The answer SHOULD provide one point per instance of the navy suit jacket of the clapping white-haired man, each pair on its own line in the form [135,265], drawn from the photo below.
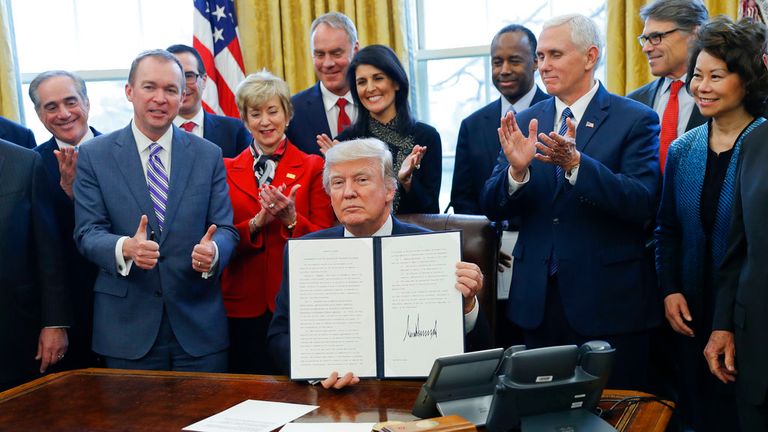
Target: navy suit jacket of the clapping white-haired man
[596,227]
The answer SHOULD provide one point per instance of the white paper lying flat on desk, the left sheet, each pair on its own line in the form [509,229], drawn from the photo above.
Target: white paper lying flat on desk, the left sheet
[252,416]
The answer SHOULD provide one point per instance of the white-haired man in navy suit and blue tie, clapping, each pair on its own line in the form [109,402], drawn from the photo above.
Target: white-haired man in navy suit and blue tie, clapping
[584,189]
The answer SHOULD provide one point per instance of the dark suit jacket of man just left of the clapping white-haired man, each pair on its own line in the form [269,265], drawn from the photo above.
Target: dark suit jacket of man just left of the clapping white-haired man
[477,148]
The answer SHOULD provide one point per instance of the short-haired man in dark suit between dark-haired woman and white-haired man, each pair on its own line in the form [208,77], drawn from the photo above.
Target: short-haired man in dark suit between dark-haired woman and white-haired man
[513,64]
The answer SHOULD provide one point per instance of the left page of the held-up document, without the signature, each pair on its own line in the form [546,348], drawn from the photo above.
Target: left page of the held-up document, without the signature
[332,279]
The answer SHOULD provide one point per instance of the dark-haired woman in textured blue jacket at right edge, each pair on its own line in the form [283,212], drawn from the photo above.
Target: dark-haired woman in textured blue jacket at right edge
[729,85]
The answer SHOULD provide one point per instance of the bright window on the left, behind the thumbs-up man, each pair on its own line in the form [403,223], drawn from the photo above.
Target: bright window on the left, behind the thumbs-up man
[97,39]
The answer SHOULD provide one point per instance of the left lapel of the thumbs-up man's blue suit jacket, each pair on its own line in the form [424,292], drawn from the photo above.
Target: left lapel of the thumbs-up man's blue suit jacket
[129,163]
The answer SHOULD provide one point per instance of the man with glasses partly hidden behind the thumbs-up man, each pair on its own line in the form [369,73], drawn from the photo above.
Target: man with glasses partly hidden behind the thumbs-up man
[228,133]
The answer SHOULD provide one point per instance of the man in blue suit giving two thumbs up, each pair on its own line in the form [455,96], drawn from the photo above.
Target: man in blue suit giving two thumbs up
[157,298]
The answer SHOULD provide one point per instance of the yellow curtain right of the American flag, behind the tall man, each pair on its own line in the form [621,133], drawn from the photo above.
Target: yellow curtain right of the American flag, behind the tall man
[274,34]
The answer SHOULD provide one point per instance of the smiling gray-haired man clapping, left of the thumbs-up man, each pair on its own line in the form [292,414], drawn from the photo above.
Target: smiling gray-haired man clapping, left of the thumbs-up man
[61,101]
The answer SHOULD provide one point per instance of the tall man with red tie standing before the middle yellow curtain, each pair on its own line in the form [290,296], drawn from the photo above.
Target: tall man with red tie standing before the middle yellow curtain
[327,107]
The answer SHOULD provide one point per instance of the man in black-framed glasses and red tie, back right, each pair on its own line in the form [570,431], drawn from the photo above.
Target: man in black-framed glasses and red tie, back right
[670,27]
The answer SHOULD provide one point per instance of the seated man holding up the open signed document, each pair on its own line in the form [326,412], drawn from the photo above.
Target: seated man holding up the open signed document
[359,177]
